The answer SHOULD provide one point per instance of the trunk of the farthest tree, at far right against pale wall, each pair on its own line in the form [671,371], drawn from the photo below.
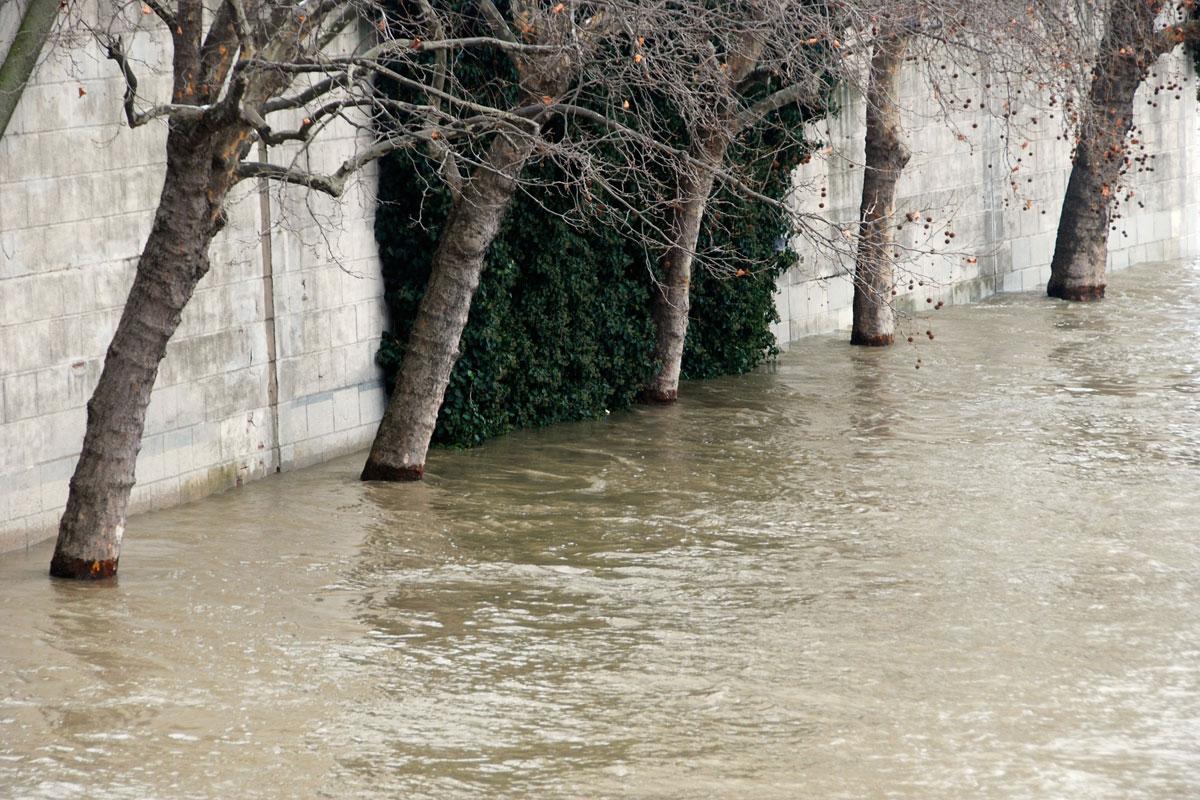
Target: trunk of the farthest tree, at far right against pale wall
[1082,249]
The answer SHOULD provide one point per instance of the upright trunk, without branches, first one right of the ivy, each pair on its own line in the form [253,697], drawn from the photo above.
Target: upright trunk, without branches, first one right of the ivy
[886,159]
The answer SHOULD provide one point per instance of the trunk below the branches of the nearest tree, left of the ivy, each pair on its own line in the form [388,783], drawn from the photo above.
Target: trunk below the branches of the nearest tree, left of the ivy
[173,262]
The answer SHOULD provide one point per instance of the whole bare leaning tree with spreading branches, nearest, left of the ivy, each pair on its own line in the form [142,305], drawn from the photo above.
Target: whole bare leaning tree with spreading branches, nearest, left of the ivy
[242,73]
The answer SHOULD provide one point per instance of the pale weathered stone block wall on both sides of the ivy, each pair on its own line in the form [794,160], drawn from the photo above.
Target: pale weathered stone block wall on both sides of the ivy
[77,196]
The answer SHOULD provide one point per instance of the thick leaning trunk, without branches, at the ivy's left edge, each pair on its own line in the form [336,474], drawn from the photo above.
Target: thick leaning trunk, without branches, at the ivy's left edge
[404,438]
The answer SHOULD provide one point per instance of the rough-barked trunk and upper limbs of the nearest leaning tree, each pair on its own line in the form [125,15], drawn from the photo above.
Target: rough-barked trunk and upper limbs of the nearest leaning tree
[203,153]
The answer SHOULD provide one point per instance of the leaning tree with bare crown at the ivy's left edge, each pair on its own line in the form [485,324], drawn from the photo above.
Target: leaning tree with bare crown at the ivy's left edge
[578,44]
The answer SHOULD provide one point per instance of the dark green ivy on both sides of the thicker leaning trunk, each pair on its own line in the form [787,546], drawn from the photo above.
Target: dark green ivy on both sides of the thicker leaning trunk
[559,329]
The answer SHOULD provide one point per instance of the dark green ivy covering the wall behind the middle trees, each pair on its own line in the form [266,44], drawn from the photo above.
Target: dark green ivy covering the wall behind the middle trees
[561,327]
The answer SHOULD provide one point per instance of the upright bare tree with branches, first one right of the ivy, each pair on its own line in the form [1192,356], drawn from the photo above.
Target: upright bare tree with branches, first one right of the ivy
[1013,56]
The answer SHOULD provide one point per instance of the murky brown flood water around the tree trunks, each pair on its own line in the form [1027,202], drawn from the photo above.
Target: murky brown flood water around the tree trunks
[841,578]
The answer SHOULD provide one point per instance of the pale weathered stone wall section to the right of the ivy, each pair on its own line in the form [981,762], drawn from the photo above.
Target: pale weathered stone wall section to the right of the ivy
[965,185]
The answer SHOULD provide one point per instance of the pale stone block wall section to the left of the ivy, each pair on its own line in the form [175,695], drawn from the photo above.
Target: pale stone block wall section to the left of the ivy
[77,197]
